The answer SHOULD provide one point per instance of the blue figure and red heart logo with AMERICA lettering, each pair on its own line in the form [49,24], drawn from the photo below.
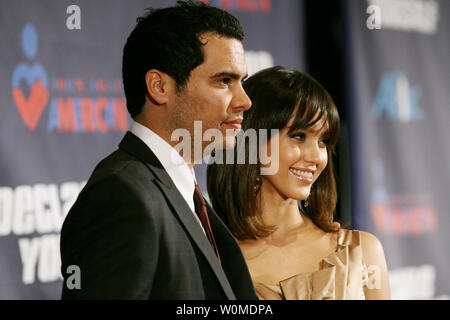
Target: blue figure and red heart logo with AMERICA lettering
[74,104]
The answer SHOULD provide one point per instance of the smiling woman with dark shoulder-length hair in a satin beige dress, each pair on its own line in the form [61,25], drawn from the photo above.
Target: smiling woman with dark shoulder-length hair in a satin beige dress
[292,251]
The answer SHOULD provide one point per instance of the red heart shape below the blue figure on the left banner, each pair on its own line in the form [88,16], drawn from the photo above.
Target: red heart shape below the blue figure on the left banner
[31,109]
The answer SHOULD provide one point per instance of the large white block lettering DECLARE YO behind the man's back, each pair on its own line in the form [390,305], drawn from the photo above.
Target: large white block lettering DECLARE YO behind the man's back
[35,214]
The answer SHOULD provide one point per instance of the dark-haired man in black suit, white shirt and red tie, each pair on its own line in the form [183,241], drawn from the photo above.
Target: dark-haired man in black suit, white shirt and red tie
[138,229]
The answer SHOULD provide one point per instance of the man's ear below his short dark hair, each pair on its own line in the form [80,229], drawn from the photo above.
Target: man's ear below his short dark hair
[159,86]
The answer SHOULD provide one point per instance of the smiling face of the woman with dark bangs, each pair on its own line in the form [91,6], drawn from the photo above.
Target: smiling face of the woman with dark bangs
[302,158]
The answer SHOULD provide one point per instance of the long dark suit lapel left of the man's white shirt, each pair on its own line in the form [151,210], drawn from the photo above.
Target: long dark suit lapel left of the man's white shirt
[133,145]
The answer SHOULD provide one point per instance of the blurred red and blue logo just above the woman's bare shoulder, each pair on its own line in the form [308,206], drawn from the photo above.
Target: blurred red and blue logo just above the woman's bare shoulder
[400,213]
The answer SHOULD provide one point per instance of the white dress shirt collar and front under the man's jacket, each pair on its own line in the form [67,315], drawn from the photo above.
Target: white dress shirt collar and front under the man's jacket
[182,176]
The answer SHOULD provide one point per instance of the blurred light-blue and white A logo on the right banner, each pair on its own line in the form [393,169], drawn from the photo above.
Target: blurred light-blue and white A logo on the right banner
[397,99]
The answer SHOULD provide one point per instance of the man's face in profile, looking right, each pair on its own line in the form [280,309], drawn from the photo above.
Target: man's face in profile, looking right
[214,94]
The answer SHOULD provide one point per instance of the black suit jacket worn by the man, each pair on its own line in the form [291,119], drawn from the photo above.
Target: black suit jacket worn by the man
[133,236]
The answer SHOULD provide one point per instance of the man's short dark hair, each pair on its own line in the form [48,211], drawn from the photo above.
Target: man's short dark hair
[168,40]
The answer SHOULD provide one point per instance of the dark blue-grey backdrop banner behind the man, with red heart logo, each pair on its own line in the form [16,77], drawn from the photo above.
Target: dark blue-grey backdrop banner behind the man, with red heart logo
[63,109]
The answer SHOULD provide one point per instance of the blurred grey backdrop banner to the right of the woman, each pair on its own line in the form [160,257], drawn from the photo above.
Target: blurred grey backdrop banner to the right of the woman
[398,61]
